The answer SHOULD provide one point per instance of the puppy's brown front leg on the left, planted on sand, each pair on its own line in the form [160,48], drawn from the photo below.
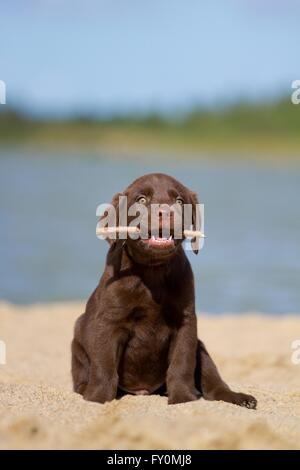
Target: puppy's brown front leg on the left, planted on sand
[105,354]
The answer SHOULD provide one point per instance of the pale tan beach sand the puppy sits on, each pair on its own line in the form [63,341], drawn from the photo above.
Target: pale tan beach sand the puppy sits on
[38,409]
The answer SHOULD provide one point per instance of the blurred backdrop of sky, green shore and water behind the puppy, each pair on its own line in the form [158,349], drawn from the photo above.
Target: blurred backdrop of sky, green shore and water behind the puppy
[99,92]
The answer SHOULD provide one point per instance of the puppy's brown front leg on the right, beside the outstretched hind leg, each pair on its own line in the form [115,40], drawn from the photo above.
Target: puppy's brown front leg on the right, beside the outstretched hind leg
[182,363]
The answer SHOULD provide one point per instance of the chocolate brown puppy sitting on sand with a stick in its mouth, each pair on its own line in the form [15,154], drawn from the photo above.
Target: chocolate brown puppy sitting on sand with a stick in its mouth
[139,332]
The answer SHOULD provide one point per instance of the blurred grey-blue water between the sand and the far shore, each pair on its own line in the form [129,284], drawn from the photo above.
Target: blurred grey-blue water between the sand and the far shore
[49,251]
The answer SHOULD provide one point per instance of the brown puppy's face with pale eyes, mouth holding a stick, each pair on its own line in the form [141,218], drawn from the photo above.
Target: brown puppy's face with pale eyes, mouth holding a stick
[156,192]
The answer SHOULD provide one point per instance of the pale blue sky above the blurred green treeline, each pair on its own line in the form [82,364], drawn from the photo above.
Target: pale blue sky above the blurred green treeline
[103,56]
